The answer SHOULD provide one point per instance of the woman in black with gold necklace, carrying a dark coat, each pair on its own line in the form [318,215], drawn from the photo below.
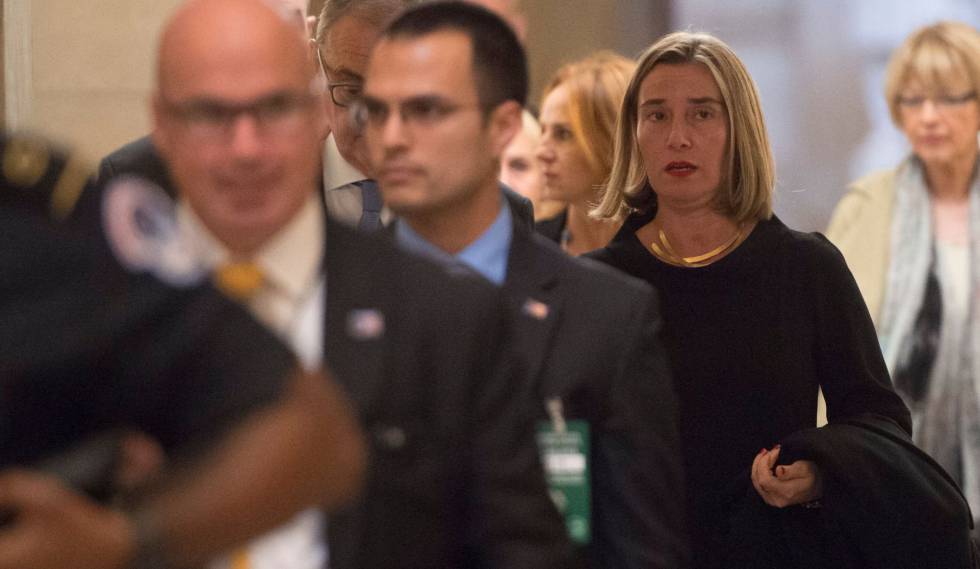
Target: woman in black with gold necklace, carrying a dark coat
[758,318]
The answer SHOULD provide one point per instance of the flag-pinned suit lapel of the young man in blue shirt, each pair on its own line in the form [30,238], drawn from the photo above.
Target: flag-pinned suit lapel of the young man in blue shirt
[532,284]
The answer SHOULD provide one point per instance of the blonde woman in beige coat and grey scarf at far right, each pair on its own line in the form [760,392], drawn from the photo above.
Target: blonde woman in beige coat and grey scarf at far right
[911,236]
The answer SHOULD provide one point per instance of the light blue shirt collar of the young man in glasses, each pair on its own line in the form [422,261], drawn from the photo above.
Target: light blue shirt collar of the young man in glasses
[486,255]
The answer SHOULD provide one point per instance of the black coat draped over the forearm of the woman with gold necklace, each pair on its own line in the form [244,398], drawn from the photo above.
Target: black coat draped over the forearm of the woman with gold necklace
[895,506]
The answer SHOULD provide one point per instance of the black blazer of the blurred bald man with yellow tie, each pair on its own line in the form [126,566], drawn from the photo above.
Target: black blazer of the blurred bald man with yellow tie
[454,479]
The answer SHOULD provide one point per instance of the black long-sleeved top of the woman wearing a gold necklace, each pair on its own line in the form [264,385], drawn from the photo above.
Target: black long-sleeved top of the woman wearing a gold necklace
[750,339]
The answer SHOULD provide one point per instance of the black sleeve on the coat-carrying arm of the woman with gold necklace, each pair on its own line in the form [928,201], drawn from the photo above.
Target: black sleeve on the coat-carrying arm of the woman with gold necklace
[851,369]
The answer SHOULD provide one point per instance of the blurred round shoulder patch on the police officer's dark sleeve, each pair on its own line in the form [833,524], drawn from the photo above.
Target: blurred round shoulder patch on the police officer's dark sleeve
[141,227]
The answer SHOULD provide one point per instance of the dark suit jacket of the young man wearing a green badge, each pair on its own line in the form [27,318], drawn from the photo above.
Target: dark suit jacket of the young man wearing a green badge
[598,348]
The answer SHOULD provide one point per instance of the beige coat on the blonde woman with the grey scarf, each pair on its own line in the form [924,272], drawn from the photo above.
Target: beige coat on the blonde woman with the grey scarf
[861,228]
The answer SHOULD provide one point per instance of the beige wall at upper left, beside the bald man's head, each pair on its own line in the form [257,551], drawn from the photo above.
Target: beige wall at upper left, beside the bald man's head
[81,71]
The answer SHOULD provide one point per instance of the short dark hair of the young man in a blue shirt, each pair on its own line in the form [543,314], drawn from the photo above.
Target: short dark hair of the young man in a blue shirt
[499,63]
